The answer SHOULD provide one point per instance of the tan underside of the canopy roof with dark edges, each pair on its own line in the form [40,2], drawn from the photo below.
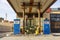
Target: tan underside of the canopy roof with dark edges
[30,6]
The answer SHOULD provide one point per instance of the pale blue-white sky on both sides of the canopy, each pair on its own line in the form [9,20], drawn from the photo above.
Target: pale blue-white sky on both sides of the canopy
[5,8]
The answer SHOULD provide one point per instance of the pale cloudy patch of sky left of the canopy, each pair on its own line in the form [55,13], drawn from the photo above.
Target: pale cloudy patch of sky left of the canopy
[6,8]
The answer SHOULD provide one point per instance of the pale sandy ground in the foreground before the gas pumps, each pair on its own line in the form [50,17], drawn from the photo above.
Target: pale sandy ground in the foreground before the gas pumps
[31,37]
